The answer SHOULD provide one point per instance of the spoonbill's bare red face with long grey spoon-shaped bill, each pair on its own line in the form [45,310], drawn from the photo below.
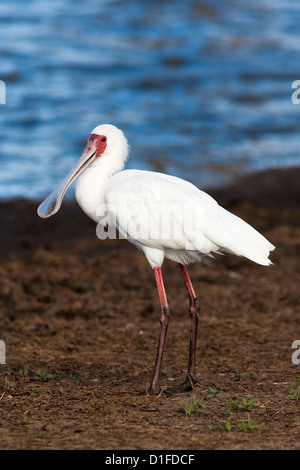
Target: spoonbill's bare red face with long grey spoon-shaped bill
[94,148]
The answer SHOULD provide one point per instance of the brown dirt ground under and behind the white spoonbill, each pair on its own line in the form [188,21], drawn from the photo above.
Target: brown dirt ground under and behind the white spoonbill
[79,318]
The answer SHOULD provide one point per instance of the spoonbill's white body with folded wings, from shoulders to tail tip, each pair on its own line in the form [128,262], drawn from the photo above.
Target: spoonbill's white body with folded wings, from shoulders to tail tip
[158,212]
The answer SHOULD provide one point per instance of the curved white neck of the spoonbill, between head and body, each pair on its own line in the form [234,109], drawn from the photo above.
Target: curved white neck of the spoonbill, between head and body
[91,184]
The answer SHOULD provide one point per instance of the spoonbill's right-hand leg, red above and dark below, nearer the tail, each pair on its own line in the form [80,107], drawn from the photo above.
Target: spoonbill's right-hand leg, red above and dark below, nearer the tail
[194,311]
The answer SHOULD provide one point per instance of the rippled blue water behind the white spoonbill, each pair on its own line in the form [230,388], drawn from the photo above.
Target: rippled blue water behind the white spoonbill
[202,90]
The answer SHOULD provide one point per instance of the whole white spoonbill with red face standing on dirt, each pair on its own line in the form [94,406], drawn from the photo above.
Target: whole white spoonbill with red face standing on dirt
[162,215]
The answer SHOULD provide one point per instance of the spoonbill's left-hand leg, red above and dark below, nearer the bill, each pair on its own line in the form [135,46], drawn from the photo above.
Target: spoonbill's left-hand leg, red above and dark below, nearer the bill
[164,316]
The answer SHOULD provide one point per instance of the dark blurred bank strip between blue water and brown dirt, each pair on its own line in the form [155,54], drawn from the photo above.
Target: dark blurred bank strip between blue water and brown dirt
[21,230]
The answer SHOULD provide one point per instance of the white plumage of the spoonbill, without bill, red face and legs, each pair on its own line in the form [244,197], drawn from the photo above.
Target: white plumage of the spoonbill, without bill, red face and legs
[146,199]
